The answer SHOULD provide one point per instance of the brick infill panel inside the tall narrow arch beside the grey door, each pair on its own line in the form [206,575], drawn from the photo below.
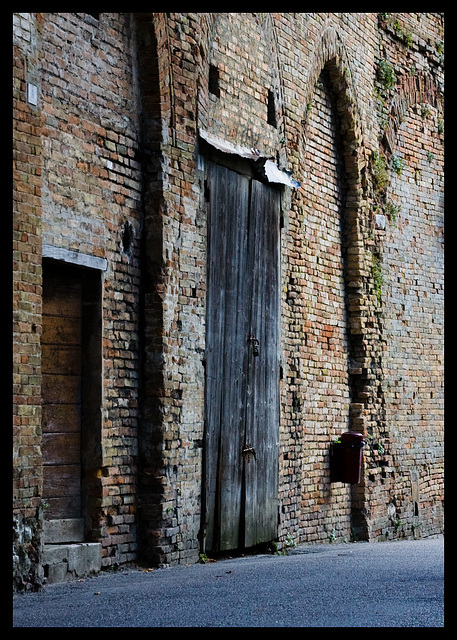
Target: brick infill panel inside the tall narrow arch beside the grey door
[322,336]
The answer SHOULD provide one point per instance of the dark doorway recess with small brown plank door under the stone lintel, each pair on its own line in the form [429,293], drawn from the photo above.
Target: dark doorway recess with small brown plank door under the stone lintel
[71,399]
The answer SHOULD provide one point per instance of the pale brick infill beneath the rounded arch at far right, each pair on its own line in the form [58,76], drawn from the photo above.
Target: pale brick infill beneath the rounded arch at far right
[414,322]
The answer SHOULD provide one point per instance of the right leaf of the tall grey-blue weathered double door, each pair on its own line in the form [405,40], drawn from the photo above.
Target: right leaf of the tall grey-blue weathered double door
[262,427]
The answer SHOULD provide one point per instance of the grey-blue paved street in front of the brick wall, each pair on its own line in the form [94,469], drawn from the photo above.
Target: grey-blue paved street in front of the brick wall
[387,584]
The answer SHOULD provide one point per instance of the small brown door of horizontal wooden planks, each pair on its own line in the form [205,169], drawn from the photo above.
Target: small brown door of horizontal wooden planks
[61,392]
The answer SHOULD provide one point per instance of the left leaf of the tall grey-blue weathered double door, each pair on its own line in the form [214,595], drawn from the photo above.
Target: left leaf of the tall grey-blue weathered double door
[225,353]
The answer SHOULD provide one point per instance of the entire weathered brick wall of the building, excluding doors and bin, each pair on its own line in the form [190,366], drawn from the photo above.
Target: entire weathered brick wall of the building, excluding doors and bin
[106,165]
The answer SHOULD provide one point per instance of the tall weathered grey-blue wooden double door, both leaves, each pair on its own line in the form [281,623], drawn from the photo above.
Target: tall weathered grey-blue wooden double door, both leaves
[242,361]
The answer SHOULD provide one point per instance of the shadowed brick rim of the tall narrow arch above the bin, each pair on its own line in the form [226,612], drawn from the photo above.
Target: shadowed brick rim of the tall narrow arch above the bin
[332,56]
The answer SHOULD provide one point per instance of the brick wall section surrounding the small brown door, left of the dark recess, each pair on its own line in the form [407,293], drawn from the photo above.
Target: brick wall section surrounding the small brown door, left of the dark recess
[86,145]
